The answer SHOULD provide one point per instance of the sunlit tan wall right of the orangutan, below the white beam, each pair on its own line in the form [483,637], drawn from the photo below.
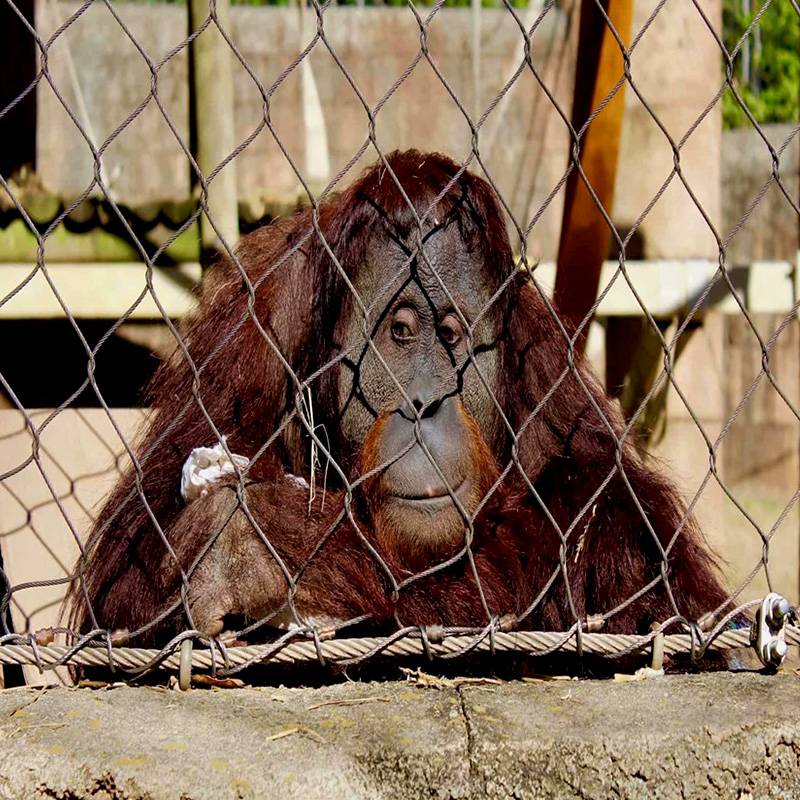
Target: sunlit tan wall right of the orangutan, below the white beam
[752,490]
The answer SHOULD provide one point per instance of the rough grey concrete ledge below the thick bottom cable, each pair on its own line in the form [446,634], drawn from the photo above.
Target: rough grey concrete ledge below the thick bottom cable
[716,735]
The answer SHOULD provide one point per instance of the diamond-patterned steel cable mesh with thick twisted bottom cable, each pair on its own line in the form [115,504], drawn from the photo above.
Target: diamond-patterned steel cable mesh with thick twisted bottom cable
[98,646]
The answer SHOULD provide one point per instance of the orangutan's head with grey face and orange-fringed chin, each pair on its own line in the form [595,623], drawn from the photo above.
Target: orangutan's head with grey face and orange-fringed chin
[418,377]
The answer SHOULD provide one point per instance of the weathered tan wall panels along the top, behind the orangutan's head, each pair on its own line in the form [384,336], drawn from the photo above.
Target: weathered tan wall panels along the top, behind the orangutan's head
[523,142]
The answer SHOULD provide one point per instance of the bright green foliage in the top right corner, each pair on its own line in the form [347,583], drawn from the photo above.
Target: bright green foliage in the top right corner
[772,92]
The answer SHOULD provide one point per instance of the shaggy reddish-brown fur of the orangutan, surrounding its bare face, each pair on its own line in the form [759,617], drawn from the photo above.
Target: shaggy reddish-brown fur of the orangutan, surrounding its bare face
[565,452]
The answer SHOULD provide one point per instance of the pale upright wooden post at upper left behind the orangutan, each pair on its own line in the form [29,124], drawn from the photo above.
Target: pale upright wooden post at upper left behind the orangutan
[213,123]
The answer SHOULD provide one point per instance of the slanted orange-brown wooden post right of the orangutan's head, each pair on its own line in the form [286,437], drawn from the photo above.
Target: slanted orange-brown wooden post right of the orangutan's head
[585,235]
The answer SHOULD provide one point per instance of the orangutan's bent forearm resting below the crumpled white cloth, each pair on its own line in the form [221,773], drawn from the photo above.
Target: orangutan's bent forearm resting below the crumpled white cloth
[238,573]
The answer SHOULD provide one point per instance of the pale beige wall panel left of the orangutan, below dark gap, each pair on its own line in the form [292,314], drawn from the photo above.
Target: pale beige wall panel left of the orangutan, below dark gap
[46,508]
